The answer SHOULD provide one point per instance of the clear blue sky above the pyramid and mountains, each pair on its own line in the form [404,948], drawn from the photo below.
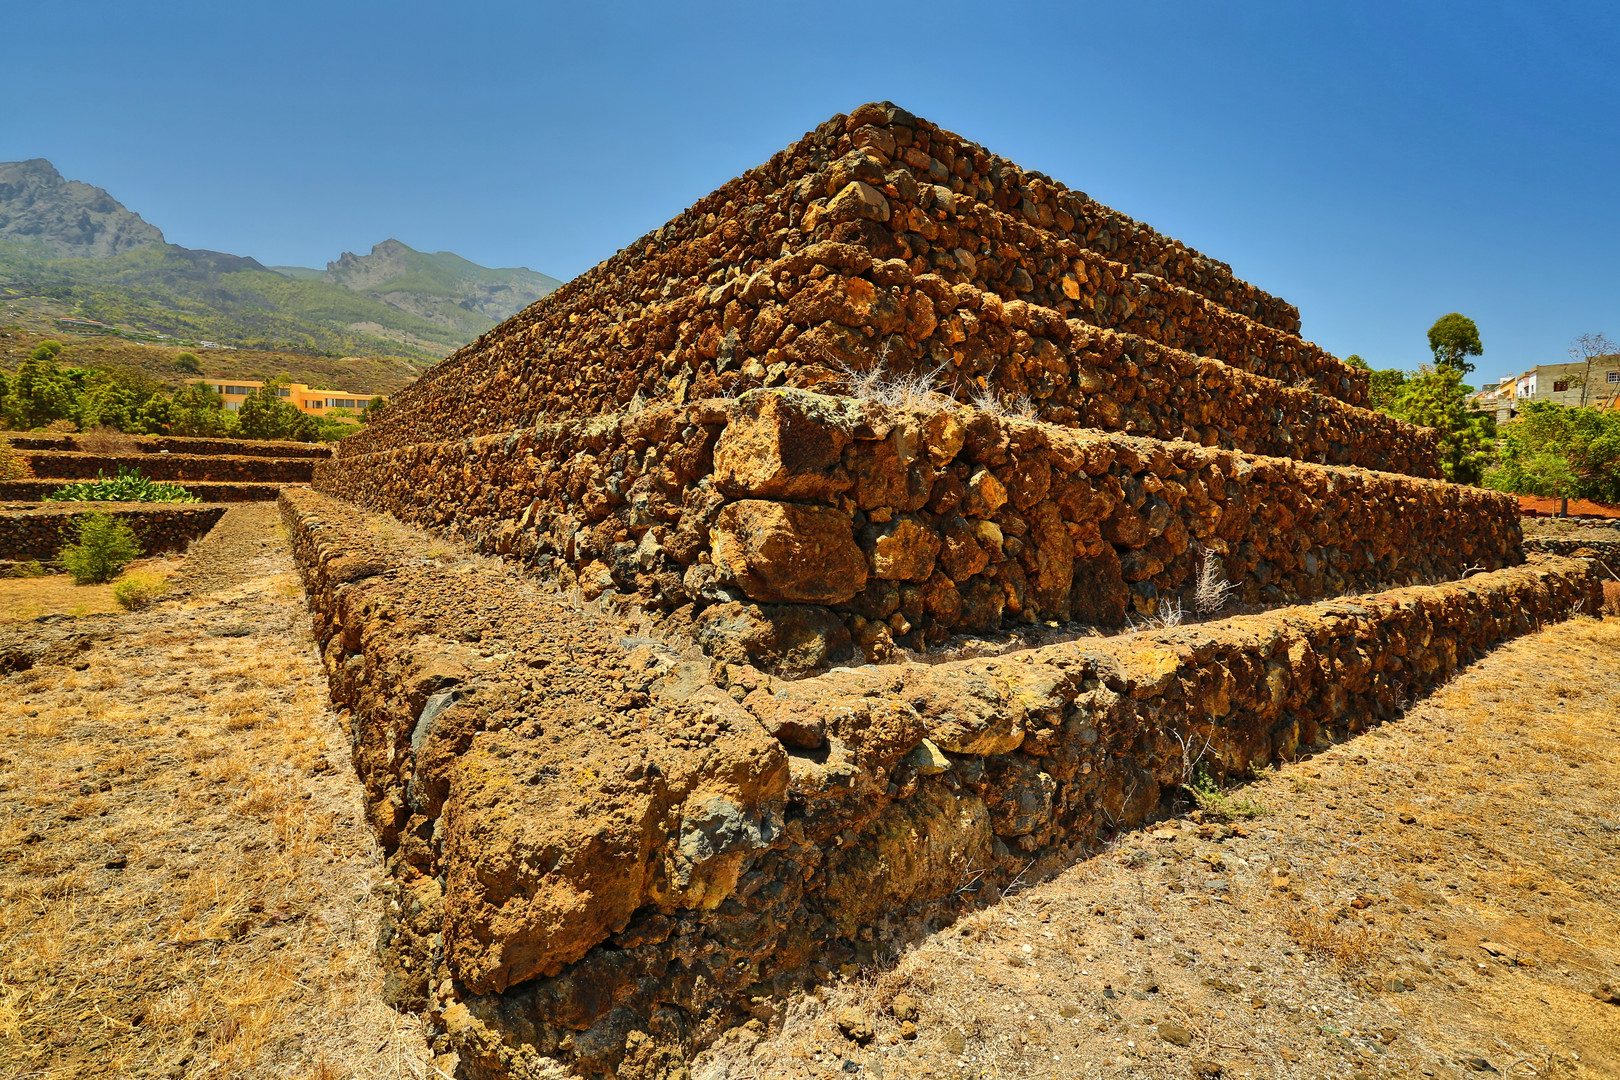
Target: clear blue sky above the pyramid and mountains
[1378,164]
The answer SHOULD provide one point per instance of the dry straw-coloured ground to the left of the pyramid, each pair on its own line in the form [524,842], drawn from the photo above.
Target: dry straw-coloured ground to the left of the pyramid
[185,875]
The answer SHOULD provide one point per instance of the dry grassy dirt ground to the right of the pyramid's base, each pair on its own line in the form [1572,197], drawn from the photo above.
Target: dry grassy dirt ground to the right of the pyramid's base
[1436,899]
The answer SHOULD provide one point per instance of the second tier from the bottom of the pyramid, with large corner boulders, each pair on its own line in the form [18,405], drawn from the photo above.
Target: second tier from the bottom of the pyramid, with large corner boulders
[788,522]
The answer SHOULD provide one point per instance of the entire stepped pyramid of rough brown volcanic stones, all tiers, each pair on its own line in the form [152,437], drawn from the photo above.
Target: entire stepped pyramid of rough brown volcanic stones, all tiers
[884,396]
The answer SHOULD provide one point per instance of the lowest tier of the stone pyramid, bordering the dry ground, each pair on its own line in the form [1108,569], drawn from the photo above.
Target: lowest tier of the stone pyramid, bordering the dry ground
[595,840]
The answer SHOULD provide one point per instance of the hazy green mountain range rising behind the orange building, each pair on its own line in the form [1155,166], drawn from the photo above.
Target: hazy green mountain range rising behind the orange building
[74,247]
